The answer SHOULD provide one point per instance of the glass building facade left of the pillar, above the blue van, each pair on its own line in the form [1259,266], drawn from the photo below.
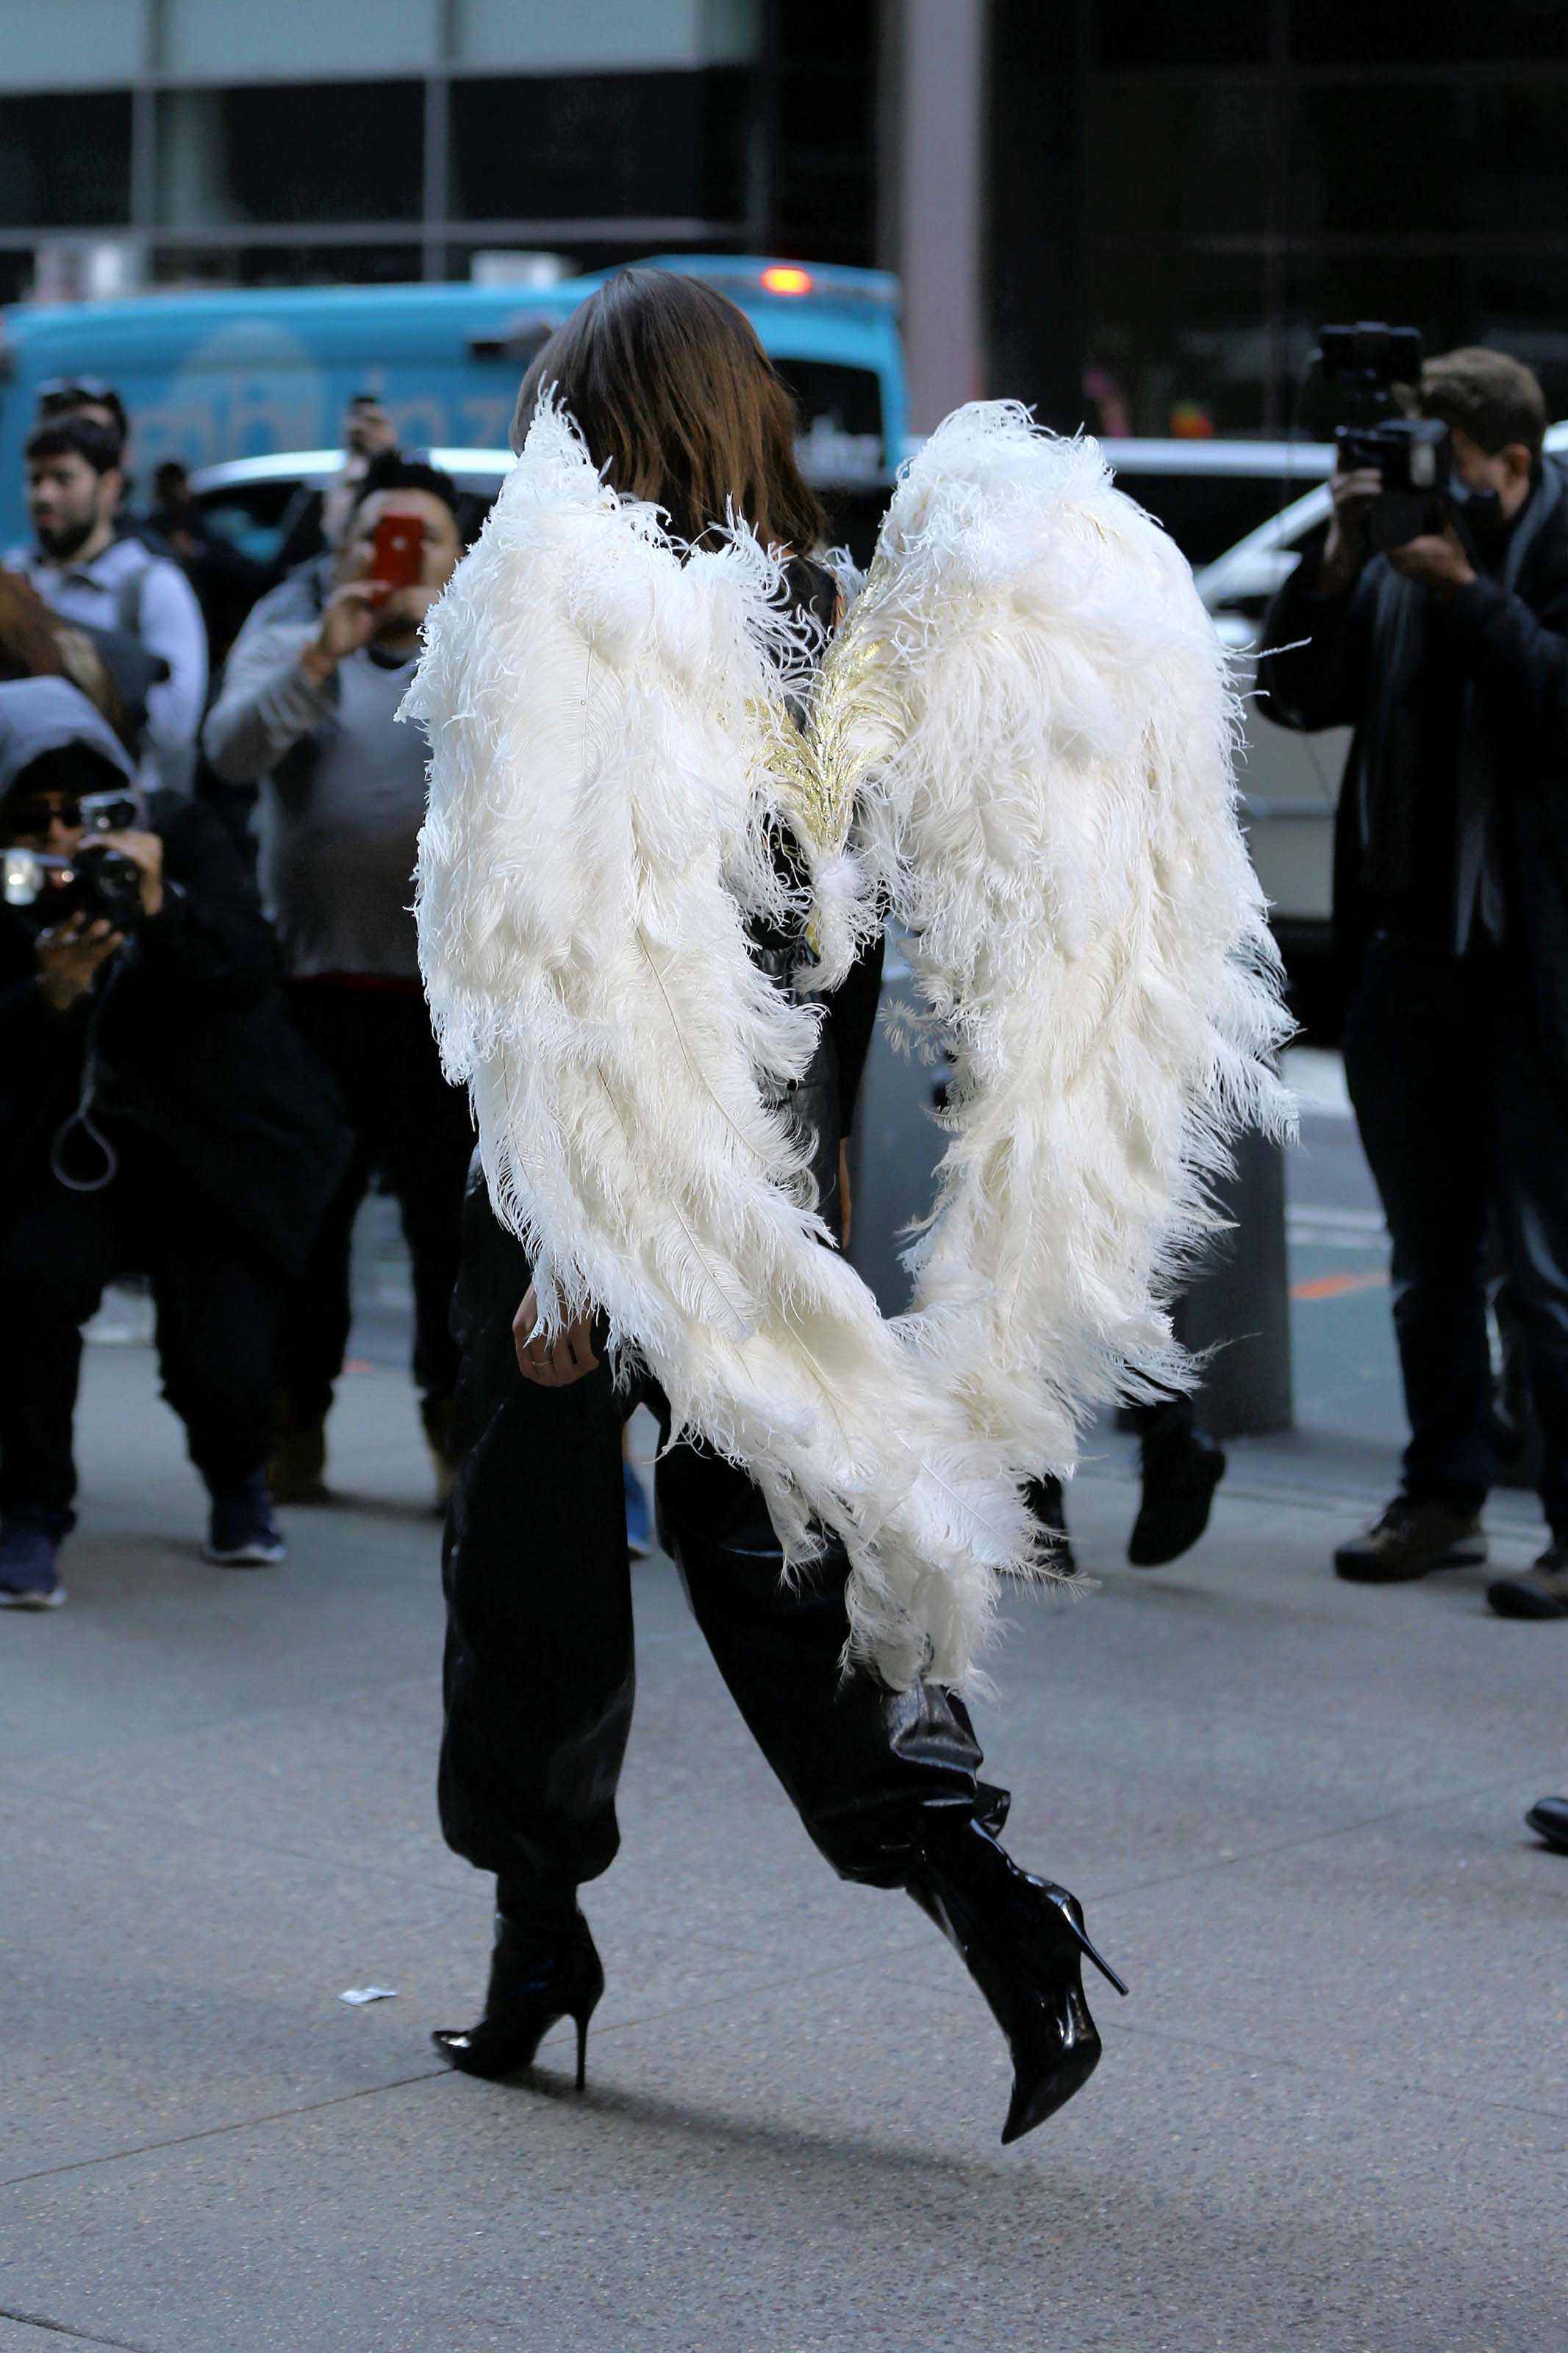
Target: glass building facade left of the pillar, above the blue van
[368,140]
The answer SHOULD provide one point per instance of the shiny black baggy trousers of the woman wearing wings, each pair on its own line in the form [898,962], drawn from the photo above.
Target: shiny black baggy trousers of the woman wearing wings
[540,1629]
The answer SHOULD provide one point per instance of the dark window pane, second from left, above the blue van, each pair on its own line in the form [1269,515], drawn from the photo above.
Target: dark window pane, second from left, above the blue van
[319,152]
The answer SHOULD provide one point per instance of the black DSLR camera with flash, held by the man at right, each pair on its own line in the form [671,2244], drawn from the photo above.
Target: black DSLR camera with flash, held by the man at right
[1362,373]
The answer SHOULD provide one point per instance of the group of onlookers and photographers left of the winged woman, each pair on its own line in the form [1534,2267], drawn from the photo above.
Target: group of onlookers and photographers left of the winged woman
[213,1027]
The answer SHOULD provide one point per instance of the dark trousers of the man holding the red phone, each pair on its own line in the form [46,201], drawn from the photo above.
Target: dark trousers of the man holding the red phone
[410,1126]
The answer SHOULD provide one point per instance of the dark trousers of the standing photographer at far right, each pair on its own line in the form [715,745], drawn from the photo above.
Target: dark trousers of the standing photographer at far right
[1463,1121]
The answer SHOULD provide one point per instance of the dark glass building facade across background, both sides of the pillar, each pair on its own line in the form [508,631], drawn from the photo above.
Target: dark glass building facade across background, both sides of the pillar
[1174,199]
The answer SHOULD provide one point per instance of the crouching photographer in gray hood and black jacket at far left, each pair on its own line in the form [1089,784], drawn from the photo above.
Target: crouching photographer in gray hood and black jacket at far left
[156,1114]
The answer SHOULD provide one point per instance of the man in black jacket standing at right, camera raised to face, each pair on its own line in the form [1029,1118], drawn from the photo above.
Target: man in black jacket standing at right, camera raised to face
[1449,658]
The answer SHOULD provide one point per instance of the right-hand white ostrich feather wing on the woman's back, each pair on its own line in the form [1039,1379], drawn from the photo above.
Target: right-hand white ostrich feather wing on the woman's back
[1033,712]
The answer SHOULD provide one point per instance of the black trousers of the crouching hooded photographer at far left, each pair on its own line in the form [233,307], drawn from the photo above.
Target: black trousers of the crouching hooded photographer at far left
[217,1300]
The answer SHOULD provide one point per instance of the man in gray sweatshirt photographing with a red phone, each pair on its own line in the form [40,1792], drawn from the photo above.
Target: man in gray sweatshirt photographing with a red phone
[309,709]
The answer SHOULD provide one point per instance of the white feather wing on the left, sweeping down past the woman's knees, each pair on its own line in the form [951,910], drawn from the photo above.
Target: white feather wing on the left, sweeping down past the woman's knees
[603,719]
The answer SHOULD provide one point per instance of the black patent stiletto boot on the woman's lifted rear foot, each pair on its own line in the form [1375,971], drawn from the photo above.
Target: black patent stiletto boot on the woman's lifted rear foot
[1024,1945]
